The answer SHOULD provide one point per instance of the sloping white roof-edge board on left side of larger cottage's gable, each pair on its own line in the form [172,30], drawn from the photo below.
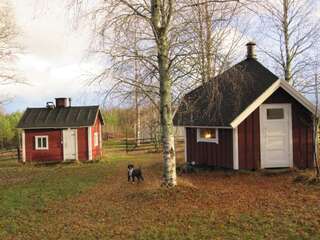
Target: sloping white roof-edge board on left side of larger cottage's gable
[253,106]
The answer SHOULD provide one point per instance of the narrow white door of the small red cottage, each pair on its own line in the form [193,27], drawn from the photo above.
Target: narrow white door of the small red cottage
[70,144]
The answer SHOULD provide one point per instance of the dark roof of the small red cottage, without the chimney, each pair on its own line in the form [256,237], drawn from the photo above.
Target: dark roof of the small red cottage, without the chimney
[59,117]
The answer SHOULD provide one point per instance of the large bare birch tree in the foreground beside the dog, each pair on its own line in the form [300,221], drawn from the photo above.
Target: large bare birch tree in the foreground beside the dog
[163,49]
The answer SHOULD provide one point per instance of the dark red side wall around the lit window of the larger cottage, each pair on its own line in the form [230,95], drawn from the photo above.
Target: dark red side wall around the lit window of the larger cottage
[210,154]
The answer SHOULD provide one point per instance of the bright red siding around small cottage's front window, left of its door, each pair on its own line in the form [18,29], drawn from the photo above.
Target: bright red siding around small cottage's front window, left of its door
[55,151]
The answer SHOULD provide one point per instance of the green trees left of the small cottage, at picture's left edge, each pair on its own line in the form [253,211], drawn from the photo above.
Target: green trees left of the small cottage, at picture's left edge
[9,134]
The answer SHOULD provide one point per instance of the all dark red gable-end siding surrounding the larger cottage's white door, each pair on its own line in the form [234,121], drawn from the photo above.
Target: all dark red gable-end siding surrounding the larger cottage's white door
[249,134]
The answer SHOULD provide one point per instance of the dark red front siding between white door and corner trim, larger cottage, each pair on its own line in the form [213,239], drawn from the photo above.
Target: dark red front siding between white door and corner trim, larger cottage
[249,142]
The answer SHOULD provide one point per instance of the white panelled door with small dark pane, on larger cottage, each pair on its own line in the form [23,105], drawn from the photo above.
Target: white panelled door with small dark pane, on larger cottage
[276,135]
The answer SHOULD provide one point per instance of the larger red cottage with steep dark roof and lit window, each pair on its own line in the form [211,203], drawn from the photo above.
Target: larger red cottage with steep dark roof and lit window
[247,118]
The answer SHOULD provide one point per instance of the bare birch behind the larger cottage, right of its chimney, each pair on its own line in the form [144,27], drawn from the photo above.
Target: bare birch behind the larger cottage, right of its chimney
[292,29]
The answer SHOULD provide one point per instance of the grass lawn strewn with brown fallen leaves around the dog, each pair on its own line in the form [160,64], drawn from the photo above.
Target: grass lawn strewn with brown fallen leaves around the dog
[95,201]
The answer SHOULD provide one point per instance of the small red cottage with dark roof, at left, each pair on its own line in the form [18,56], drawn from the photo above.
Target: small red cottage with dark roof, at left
[61,132]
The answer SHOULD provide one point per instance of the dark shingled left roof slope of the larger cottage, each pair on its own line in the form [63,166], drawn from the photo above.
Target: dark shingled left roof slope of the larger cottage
[221,100]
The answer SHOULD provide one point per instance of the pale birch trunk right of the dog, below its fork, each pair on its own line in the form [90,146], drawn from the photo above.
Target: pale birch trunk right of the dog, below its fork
[169,157]
